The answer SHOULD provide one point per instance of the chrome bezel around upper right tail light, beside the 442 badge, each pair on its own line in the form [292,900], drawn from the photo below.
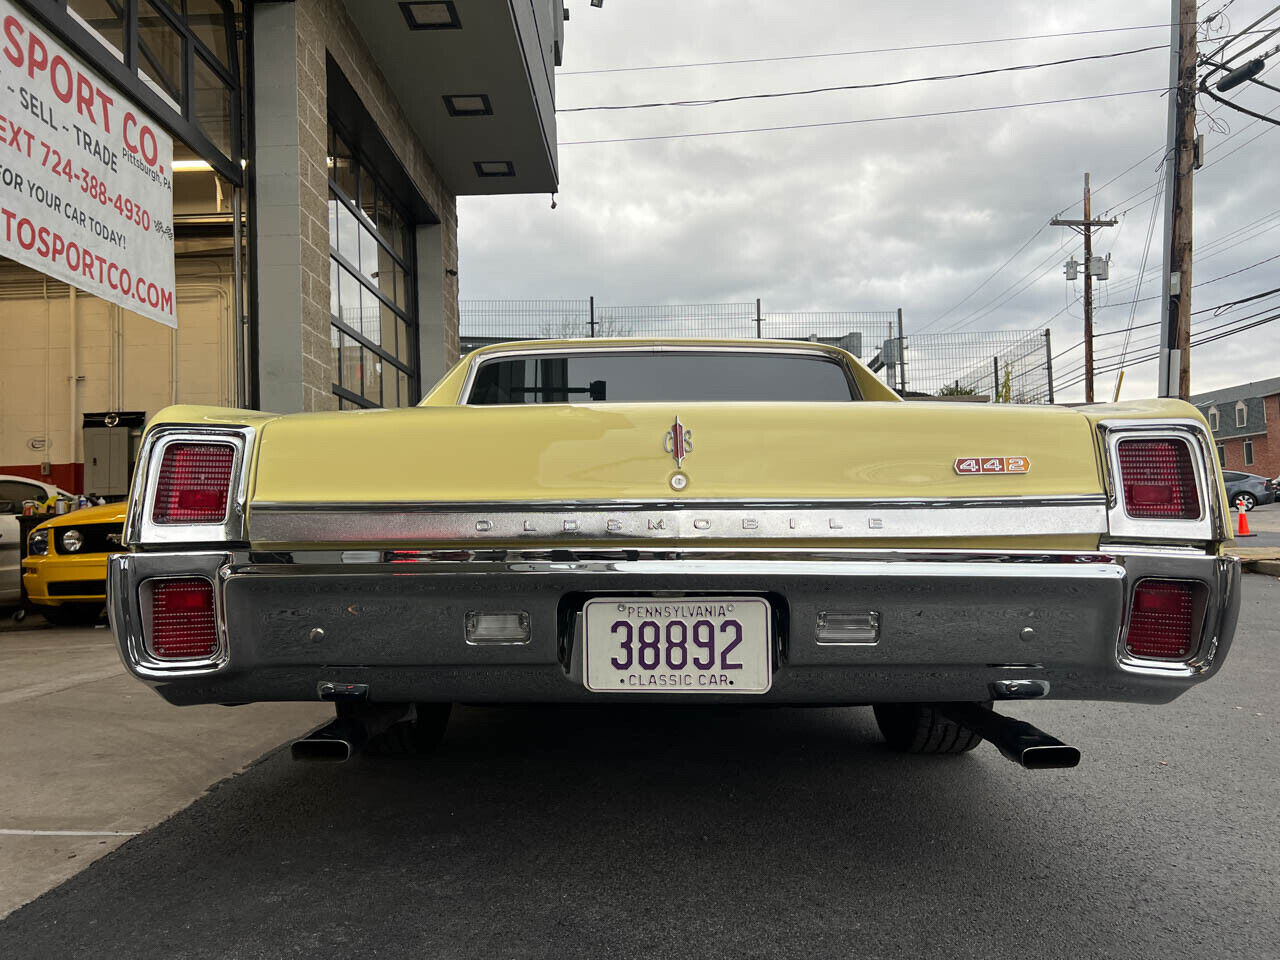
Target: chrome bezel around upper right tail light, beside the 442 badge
[1208,527]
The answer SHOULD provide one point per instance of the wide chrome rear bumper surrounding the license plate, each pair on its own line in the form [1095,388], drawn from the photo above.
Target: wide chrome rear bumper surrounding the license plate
[952,627]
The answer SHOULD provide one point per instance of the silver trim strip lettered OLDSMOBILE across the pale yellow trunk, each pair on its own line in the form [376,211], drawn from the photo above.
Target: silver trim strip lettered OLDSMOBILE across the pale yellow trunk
[707,520]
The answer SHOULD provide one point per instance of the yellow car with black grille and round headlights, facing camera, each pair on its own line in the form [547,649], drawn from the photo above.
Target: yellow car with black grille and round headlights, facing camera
[65,572]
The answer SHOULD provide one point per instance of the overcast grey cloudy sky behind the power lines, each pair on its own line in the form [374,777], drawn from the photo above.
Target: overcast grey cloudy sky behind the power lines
[912,214]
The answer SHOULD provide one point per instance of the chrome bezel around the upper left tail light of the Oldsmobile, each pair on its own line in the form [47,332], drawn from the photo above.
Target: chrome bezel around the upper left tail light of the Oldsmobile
[140,525]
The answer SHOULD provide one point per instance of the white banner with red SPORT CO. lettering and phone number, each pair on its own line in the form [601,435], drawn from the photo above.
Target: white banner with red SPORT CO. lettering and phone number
[86,184]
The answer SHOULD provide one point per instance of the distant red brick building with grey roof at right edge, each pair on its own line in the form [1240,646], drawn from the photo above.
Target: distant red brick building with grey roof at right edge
[1246,423]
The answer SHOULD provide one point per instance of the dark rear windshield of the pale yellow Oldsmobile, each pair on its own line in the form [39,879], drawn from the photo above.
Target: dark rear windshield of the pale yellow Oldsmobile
[642,377]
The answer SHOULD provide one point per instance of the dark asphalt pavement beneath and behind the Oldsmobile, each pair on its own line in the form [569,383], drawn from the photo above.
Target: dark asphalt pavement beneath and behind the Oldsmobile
[591,833]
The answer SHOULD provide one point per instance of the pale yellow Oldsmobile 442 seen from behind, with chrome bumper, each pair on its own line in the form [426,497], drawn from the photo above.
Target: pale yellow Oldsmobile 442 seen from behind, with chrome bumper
[660,522]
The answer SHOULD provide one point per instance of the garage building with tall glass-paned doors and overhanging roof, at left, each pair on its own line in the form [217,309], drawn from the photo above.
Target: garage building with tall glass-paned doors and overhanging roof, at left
[319,149]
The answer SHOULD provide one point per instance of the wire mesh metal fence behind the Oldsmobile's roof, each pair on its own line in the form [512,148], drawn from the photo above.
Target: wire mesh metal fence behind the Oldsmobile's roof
[1002,365]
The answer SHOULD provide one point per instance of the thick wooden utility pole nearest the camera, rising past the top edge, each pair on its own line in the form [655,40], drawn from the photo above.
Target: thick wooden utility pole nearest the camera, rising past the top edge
[1176,328]
